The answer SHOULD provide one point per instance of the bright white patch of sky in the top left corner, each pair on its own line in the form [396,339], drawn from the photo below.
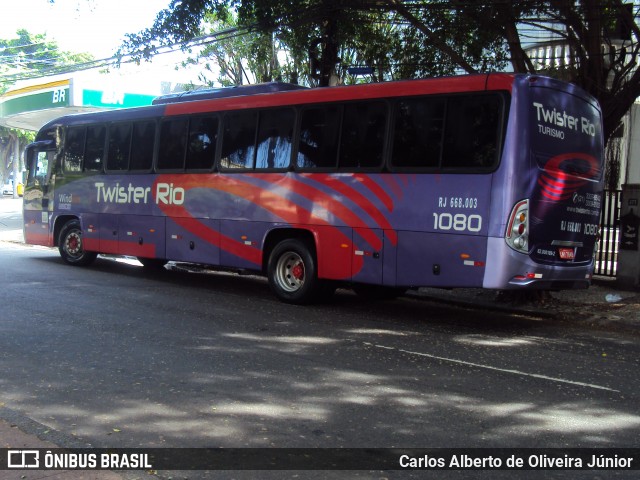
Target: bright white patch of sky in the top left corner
[94,26]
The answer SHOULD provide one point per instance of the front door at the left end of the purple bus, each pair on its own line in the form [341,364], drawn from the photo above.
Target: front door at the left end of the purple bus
[38,193]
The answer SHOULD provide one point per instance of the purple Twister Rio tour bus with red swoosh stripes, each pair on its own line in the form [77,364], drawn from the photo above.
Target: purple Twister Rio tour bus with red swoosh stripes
[490,181]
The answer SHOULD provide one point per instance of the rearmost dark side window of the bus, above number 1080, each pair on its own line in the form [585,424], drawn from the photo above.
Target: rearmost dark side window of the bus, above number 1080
[471,133]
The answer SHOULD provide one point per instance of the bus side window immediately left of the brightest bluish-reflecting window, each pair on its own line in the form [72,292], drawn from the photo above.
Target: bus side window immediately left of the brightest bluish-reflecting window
[238,140]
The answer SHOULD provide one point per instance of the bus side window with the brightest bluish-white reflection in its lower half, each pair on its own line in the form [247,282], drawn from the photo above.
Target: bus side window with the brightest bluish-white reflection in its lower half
[275,134]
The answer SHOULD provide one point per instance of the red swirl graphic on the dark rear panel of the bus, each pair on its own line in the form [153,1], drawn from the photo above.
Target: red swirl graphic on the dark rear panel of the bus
[564,174]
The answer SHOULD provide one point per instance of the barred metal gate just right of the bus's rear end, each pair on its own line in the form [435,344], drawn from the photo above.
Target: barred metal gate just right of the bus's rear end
[607,253]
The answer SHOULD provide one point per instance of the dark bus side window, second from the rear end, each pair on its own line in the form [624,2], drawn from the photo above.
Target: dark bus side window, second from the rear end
[417,139]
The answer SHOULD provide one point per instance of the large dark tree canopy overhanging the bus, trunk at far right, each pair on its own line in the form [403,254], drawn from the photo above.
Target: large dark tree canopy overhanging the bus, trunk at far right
[436,37]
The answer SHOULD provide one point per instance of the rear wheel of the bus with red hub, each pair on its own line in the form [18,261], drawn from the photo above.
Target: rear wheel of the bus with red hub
[292,272]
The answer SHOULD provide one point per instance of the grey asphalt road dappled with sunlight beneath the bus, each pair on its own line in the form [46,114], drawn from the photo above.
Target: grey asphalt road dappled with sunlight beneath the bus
[116,356]
